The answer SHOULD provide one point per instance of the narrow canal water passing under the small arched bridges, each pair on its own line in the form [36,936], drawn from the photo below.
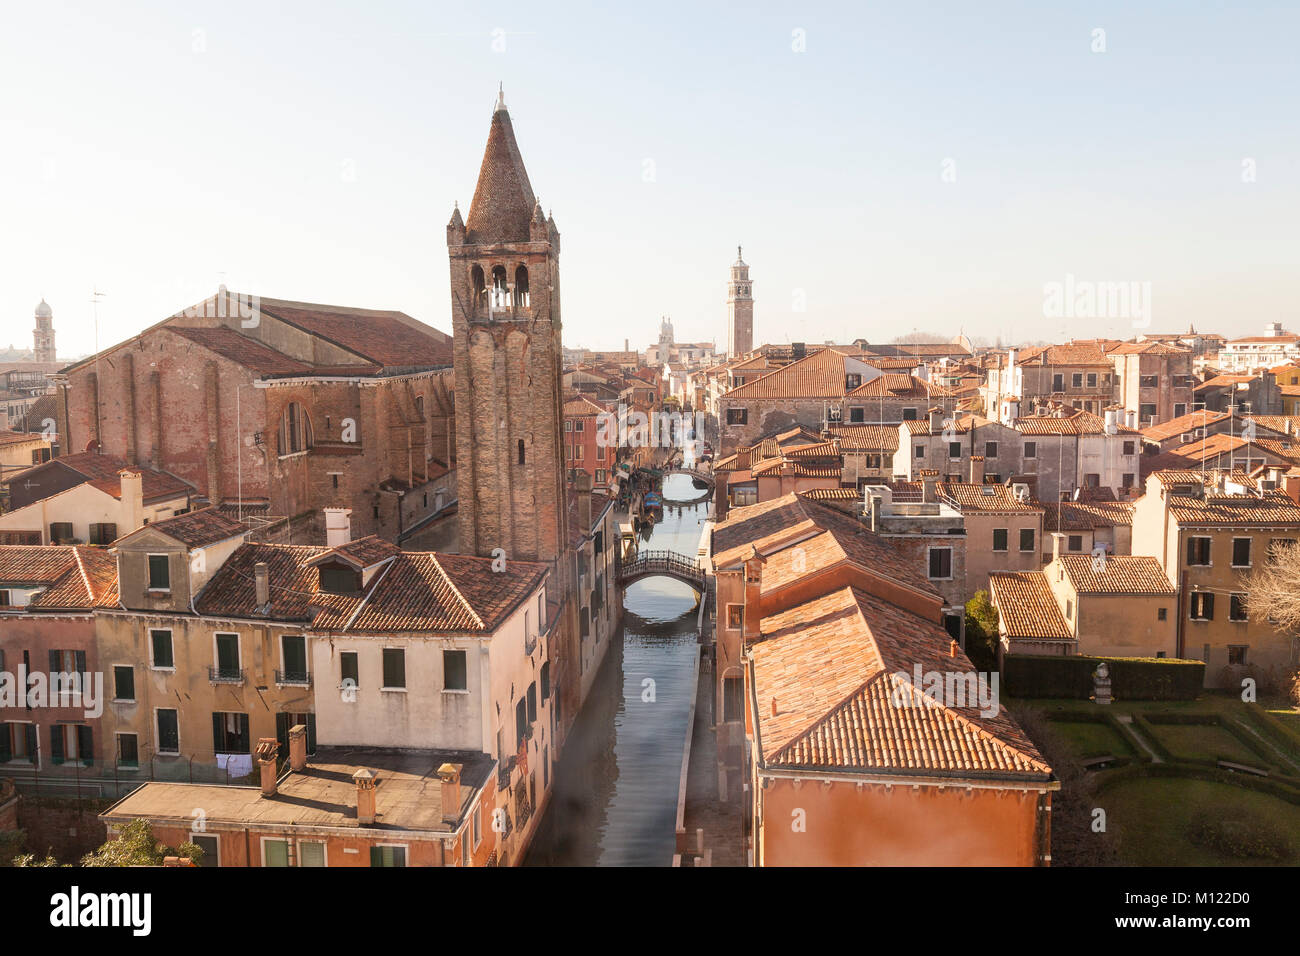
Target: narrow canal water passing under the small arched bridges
[616,798]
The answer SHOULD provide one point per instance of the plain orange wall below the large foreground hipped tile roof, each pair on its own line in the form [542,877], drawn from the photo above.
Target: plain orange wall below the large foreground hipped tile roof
[847,827]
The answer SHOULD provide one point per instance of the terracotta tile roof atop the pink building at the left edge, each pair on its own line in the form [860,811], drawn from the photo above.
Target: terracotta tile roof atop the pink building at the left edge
[75,578]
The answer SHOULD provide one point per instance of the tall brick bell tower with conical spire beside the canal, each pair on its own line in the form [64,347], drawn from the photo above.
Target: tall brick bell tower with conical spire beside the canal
[506,331]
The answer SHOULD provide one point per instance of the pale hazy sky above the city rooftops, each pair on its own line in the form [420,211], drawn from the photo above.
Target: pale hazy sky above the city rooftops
[314,152]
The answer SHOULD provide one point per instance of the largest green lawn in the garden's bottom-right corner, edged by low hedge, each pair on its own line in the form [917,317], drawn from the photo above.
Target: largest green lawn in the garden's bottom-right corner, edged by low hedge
[1151,816]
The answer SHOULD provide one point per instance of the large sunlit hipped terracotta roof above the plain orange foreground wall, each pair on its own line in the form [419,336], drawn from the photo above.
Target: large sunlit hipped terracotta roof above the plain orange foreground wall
[838,668]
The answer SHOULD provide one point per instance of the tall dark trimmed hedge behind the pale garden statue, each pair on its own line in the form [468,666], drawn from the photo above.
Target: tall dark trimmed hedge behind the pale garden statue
[1132,678]
